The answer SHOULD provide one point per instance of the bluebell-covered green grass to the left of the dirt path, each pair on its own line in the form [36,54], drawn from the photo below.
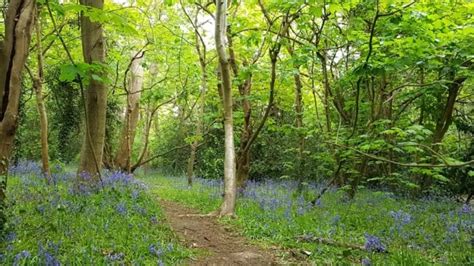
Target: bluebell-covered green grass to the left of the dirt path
[117,222]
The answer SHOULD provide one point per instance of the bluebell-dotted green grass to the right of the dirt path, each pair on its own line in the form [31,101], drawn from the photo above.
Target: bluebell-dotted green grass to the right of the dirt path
[409,232]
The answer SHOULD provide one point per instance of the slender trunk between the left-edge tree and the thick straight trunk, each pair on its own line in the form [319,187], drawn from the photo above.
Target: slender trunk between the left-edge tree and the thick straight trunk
[43,117]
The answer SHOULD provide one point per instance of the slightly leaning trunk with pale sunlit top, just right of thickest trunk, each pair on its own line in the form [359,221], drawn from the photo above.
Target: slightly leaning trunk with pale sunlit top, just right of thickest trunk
[124,153]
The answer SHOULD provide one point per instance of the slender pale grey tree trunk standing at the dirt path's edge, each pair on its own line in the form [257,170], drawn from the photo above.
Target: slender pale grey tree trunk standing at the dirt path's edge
[228,205]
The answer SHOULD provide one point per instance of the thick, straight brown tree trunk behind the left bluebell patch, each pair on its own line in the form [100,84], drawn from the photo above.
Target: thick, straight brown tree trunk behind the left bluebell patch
[95,96]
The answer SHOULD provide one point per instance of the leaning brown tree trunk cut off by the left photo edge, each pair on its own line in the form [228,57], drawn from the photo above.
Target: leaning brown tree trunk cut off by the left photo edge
[13,53]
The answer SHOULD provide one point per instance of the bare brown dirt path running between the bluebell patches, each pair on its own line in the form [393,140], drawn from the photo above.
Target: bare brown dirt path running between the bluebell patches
[224,247]
